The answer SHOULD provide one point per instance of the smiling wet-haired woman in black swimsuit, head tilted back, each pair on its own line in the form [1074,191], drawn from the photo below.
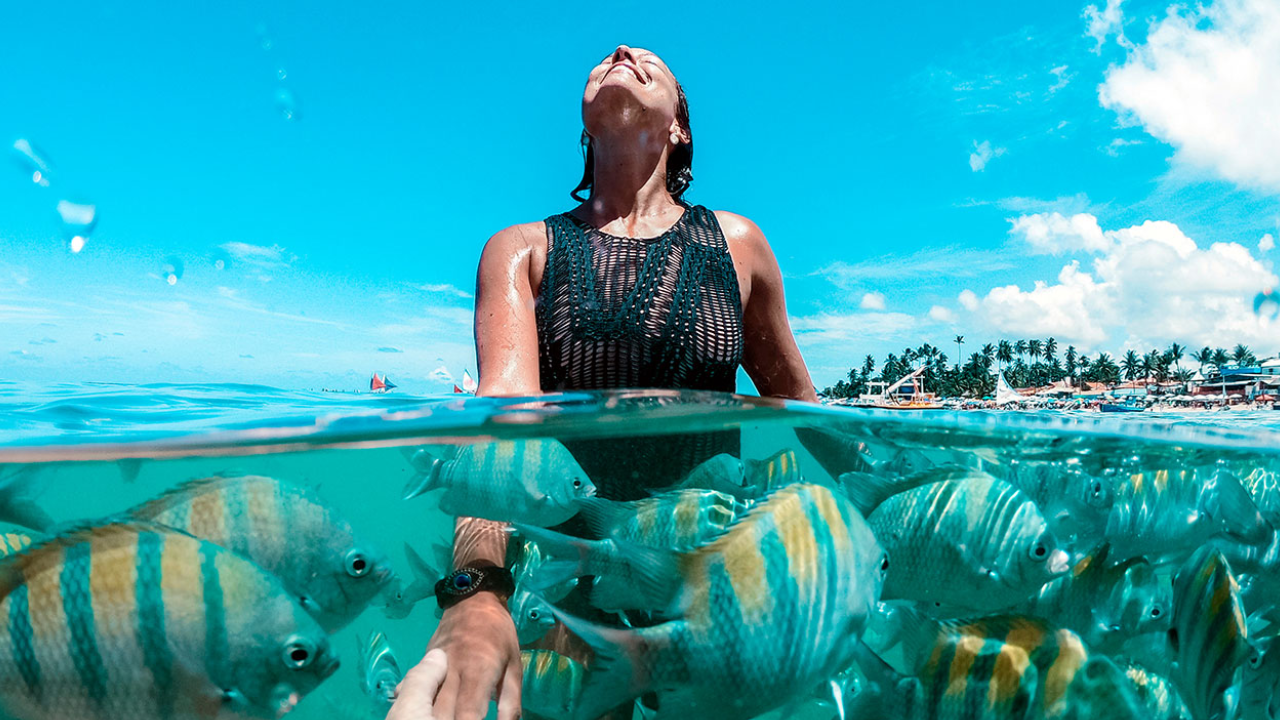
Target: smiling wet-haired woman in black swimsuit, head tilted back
[675,297]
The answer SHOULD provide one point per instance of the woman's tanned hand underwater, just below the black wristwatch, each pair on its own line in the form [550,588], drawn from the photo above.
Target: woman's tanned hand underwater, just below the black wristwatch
[479,637]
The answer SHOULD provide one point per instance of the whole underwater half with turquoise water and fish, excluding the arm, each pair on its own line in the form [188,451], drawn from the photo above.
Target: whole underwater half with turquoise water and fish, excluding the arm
[231,552]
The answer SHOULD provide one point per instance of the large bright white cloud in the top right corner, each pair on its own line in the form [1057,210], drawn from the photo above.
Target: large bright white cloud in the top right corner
[1206,83]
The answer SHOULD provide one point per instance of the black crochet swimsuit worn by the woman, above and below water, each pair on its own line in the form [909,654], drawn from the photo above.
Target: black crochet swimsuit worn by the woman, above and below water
[641,313]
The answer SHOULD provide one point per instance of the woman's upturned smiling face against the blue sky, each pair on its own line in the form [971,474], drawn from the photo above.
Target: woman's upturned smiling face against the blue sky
[632,88]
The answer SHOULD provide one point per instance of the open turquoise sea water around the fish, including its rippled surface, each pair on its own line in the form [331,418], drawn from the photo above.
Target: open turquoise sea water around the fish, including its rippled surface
[97,450]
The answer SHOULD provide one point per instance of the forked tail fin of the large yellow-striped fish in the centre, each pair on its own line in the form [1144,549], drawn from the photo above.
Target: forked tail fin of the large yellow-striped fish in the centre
[618,672]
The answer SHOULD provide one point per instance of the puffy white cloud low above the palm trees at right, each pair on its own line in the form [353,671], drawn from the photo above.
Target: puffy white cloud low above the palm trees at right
[1148,285]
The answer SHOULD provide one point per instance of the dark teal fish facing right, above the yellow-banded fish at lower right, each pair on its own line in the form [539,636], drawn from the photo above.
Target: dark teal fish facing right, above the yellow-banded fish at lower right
[1105,604]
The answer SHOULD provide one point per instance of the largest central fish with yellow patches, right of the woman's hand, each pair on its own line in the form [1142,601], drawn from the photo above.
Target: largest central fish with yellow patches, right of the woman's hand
[767,613]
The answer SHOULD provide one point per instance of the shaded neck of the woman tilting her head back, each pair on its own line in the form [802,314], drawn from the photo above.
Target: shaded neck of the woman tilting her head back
[630,184]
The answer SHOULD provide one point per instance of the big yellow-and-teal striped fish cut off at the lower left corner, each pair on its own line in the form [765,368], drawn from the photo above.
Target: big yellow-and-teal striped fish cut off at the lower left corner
[131,622]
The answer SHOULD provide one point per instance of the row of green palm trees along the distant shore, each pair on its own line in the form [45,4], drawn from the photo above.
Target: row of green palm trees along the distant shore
[1036,363]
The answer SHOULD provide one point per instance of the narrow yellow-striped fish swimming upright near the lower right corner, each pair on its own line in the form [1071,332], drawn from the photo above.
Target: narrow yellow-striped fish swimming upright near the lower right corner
[1210,637]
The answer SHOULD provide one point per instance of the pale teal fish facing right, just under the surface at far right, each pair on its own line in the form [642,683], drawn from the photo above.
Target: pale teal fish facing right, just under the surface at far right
[1164,516]
